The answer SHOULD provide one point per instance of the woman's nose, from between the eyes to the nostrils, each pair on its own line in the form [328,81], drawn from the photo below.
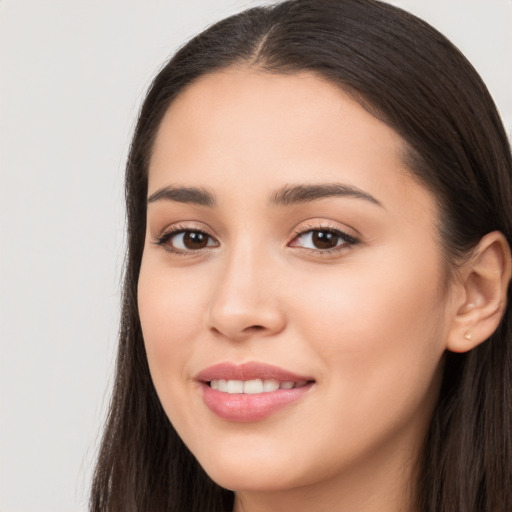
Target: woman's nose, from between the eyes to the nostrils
[246,301]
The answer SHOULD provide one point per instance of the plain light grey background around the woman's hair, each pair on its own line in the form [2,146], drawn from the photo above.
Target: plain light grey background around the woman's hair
[72,76]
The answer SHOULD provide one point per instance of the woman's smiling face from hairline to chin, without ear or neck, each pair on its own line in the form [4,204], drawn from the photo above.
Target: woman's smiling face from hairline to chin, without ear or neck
[288,247]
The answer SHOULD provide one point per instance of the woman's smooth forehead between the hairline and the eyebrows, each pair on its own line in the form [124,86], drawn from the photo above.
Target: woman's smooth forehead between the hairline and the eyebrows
[261,131]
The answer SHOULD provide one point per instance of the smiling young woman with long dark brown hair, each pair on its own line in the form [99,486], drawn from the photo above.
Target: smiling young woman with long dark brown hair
[316,310]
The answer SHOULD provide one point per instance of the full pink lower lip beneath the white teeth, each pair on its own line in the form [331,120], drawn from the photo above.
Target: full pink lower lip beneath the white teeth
[246,407]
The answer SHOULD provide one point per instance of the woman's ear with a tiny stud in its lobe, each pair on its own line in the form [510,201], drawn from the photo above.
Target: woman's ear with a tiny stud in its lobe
[481,293]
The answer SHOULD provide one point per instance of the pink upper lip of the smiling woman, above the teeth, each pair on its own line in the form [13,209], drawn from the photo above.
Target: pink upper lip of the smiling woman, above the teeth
[248,371]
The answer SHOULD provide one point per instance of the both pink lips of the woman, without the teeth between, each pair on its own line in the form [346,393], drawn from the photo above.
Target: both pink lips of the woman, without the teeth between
[249,407]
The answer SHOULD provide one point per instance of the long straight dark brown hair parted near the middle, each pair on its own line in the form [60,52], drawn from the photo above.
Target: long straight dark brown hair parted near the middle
[413,78]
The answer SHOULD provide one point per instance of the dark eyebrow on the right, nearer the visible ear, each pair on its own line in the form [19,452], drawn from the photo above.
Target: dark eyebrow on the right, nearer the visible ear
[295,194]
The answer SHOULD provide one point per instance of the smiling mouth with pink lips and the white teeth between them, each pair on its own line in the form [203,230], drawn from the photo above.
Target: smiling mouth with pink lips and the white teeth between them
[251,391]
